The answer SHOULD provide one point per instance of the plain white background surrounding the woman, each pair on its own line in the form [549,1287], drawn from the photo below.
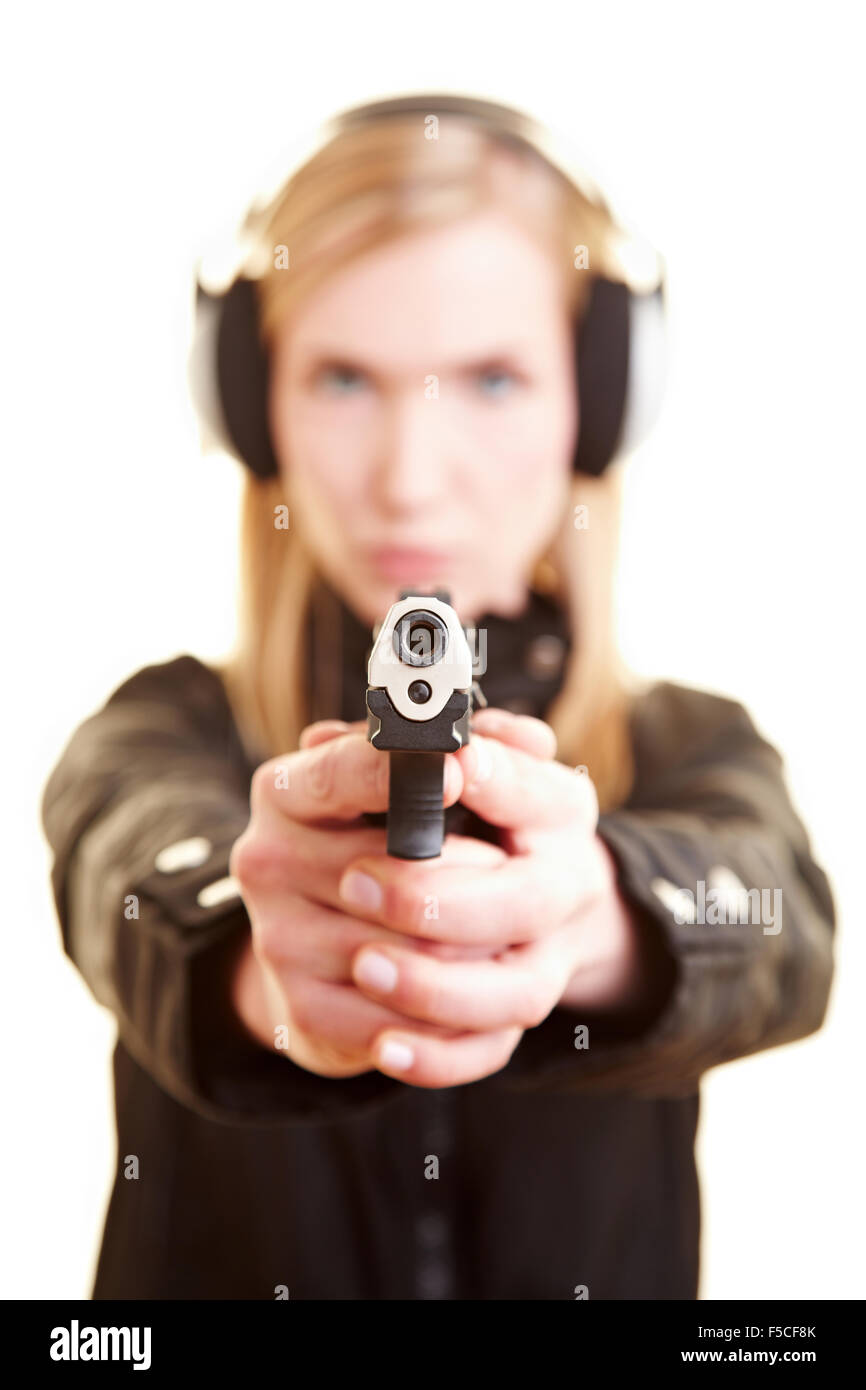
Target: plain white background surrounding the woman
[733,137]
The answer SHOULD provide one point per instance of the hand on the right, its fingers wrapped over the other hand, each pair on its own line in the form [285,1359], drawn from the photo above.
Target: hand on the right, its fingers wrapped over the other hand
[547,904]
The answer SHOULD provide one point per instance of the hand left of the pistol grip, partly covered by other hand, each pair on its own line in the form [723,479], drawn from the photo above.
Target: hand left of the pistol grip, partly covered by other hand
[295,974]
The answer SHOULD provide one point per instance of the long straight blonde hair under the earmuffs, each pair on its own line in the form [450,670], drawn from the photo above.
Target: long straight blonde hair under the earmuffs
[369,186]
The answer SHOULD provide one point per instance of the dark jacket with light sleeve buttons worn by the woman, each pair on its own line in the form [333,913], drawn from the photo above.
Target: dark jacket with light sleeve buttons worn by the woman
[568,1168]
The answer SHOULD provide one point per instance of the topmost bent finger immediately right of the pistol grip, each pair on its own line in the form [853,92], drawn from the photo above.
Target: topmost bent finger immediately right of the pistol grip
[508,787]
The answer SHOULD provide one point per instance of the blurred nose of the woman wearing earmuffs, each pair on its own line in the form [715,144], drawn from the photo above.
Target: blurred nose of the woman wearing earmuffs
[412,464]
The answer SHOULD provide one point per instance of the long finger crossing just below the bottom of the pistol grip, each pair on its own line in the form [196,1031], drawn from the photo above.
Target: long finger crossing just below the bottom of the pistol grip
[516,900]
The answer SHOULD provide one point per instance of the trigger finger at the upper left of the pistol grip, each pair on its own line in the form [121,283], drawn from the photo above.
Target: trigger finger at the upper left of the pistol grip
[337,780]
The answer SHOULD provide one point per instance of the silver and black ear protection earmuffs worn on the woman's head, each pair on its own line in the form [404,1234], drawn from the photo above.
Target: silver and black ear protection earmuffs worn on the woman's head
[619,338]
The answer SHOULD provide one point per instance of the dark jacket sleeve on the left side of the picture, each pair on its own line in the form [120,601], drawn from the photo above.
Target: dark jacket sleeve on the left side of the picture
[141,814]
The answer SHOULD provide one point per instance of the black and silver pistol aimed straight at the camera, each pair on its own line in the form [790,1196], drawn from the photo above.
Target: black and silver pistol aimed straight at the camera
[420,698]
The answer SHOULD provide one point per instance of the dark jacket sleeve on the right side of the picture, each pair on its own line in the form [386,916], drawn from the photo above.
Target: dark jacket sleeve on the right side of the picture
[708,824]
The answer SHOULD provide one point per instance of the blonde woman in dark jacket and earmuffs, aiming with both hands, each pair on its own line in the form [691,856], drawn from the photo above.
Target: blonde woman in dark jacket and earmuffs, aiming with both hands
[344,1075]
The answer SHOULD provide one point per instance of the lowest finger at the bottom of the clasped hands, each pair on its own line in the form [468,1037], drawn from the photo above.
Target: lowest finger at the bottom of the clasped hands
[427,1061]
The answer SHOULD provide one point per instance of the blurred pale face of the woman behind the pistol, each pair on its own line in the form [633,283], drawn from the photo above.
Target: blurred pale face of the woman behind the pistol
[423,404]
